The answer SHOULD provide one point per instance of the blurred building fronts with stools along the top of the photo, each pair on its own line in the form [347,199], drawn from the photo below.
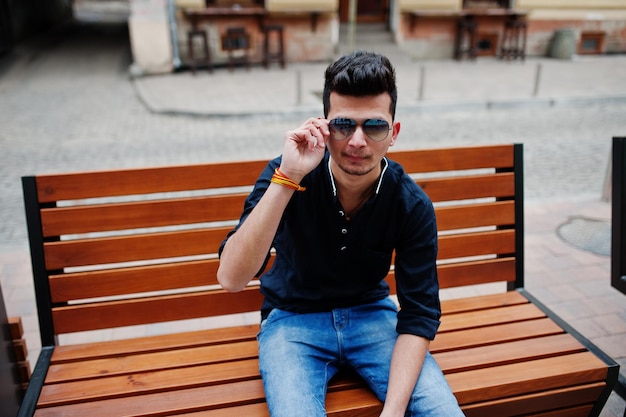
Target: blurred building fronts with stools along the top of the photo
[163,32]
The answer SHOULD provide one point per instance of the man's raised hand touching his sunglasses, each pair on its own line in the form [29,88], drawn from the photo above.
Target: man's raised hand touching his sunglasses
[304,148]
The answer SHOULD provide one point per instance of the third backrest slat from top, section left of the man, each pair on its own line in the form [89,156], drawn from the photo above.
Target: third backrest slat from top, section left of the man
[110,250]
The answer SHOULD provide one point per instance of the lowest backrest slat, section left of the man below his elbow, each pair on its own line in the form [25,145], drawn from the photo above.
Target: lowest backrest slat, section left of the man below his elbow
[76,318]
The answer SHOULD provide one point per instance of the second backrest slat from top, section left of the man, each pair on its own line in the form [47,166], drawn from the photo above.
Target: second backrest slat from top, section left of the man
[136,215]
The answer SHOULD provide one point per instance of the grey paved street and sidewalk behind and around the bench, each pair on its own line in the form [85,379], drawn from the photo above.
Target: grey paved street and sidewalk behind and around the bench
[67,103]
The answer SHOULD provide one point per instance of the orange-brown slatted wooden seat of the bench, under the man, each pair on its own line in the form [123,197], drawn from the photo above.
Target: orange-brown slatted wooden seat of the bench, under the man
[497,351]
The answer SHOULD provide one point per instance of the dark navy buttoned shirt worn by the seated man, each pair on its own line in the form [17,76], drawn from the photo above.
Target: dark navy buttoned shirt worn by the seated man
[325,261]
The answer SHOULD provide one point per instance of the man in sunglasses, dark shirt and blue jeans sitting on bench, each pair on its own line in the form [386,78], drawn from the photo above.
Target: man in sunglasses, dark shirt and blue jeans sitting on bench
[335,209]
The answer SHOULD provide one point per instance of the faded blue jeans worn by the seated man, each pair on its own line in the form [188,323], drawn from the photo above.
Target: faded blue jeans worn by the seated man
[300,353]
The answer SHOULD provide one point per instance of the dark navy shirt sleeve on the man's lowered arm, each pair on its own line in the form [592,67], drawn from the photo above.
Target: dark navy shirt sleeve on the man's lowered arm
[416,271]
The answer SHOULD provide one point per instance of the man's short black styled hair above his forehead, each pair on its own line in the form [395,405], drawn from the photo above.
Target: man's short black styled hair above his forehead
[361,74]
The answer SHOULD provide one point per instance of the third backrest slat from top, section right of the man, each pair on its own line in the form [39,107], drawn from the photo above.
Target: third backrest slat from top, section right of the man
[499,213]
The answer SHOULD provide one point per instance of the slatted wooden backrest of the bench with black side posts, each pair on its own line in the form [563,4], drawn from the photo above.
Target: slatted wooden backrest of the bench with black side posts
[129,247]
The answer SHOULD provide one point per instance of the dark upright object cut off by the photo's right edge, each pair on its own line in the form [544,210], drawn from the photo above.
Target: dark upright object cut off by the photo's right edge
[618,220]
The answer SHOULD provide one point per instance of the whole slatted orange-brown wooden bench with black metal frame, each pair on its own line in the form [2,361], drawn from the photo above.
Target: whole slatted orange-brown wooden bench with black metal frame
[138,247]
